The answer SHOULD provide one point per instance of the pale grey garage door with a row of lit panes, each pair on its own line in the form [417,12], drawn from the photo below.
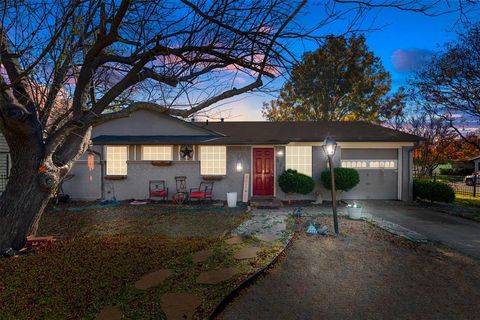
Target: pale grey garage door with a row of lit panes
[378,171]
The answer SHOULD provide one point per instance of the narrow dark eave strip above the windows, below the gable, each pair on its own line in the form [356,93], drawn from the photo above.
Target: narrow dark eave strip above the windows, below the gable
[106,139]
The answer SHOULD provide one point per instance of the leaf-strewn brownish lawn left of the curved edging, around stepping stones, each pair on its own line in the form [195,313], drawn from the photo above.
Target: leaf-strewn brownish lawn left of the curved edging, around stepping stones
[103,252]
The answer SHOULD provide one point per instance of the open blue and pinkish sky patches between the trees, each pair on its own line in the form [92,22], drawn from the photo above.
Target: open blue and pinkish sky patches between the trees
[403,42]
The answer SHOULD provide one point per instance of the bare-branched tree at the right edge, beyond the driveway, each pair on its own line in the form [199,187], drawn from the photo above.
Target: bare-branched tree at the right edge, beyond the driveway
[449,86]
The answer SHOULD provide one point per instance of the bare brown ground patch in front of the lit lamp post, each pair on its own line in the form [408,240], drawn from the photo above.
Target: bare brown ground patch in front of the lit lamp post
[365,273]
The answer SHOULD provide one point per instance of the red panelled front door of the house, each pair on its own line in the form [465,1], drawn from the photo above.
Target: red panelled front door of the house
[263,171]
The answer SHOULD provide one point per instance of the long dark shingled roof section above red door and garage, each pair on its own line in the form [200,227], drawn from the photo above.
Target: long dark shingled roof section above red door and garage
[263,132]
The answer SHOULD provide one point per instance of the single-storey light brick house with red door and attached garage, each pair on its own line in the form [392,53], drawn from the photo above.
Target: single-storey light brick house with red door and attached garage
[149,145]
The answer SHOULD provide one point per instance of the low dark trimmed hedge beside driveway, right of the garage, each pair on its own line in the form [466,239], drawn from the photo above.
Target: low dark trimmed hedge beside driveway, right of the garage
[433,191]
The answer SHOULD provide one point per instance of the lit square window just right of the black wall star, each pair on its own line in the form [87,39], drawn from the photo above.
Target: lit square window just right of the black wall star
[213,160]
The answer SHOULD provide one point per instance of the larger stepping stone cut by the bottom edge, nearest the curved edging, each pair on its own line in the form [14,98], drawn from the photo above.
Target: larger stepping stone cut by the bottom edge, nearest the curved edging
[179,306]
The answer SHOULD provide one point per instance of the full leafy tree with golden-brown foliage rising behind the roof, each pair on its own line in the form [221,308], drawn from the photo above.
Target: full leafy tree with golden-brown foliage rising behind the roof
[340,81]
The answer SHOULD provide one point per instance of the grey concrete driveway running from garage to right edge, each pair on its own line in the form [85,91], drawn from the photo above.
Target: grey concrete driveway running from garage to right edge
[458,233]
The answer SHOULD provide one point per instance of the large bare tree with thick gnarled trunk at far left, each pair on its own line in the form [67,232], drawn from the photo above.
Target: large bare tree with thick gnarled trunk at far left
[68,65]
